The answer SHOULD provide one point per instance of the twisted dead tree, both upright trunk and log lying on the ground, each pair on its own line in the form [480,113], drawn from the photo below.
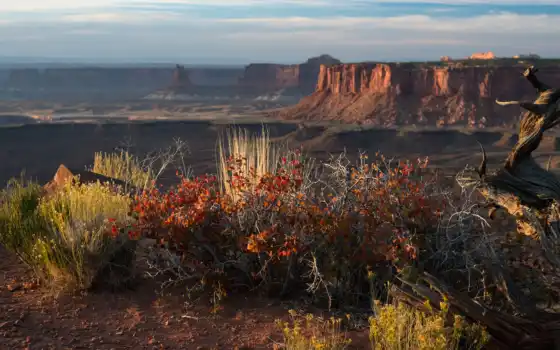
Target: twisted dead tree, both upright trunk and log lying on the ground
[532,195]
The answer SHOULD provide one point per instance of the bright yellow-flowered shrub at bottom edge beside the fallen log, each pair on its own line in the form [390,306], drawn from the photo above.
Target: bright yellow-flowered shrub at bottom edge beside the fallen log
[400,327]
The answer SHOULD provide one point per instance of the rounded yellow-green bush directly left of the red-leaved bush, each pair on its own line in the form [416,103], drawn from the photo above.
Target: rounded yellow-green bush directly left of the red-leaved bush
[85,224]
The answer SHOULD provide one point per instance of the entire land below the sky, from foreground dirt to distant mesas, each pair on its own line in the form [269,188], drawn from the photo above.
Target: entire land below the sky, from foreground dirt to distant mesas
[315,205]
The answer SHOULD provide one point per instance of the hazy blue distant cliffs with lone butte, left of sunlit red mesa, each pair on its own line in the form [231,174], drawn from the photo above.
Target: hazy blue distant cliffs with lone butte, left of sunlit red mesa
[117,83]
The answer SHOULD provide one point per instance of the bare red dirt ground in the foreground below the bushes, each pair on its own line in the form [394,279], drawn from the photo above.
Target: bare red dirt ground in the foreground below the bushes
[32,318]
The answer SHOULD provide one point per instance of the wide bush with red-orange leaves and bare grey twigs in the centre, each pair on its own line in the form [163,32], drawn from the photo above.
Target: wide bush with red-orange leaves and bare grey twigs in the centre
[324,225]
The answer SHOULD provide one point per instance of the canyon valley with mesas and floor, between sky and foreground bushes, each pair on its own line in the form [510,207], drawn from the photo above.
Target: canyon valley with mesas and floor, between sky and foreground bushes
[435,109]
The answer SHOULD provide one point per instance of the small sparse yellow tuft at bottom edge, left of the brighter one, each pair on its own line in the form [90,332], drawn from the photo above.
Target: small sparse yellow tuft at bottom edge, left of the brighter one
[313,333]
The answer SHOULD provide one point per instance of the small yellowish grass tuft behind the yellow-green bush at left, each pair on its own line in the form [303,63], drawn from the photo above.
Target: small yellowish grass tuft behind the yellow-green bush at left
[122,166]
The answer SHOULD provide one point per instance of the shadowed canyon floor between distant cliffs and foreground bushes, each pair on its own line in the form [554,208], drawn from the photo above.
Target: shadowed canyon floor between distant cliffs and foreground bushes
[80,129]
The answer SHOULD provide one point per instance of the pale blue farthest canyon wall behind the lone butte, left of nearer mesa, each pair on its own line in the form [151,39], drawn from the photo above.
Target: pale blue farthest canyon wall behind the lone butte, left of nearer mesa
[109,83]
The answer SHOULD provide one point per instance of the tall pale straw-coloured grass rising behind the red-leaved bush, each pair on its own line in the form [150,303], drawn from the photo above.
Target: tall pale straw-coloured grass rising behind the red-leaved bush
[257,154]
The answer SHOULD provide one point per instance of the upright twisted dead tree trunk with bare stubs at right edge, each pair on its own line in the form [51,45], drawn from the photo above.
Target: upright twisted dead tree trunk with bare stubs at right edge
[521,187]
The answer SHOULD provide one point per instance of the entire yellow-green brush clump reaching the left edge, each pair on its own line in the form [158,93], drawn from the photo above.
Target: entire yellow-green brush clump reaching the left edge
[73,238]
